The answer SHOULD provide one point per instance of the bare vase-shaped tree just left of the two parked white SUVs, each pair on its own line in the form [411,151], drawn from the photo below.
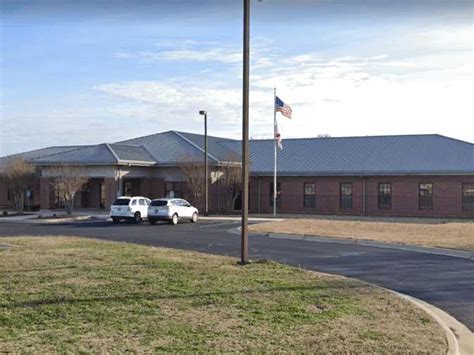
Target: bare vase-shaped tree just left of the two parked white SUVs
[68,180]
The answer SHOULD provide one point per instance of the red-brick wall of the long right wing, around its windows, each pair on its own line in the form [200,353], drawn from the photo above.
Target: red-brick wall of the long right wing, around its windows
[447,195]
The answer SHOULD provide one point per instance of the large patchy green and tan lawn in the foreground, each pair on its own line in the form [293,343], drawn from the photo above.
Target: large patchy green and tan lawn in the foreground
[73,295]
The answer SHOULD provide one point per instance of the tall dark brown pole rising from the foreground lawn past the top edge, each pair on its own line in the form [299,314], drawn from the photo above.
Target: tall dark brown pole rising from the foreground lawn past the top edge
[245,134]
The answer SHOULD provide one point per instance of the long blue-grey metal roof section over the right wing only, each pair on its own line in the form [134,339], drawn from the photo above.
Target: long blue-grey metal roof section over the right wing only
[379,155]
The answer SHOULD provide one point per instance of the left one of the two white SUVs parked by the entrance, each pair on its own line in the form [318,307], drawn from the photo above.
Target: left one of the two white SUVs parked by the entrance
[129,208]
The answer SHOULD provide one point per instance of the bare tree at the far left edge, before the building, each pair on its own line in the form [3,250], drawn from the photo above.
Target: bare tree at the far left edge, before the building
[18,174]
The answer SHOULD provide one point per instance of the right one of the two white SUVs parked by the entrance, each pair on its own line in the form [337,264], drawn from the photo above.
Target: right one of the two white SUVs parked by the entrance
[172,210]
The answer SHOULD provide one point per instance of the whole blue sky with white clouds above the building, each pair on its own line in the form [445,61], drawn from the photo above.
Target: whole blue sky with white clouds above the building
[99,71]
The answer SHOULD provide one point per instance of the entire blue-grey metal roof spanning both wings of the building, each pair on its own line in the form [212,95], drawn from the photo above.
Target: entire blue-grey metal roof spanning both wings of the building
[372,155]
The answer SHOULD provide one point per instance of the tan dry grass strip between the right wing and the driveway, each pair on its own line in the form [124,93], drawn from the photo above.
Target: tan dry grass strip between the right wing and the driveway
[453,235]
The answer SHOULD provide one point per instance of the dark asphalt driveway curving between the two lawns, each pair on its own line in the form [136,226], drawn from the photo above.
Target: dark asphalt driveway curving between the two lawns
[443,281]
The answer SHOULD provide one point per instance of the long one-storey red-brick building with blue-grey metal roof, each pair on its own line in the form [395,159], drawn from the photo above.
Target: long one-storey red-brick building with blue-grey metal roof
[409,175]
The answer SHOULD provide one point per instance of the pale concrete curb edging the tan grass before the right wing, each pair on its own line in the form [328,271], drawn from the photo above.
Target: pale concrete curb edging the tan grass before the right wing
[369,243]
